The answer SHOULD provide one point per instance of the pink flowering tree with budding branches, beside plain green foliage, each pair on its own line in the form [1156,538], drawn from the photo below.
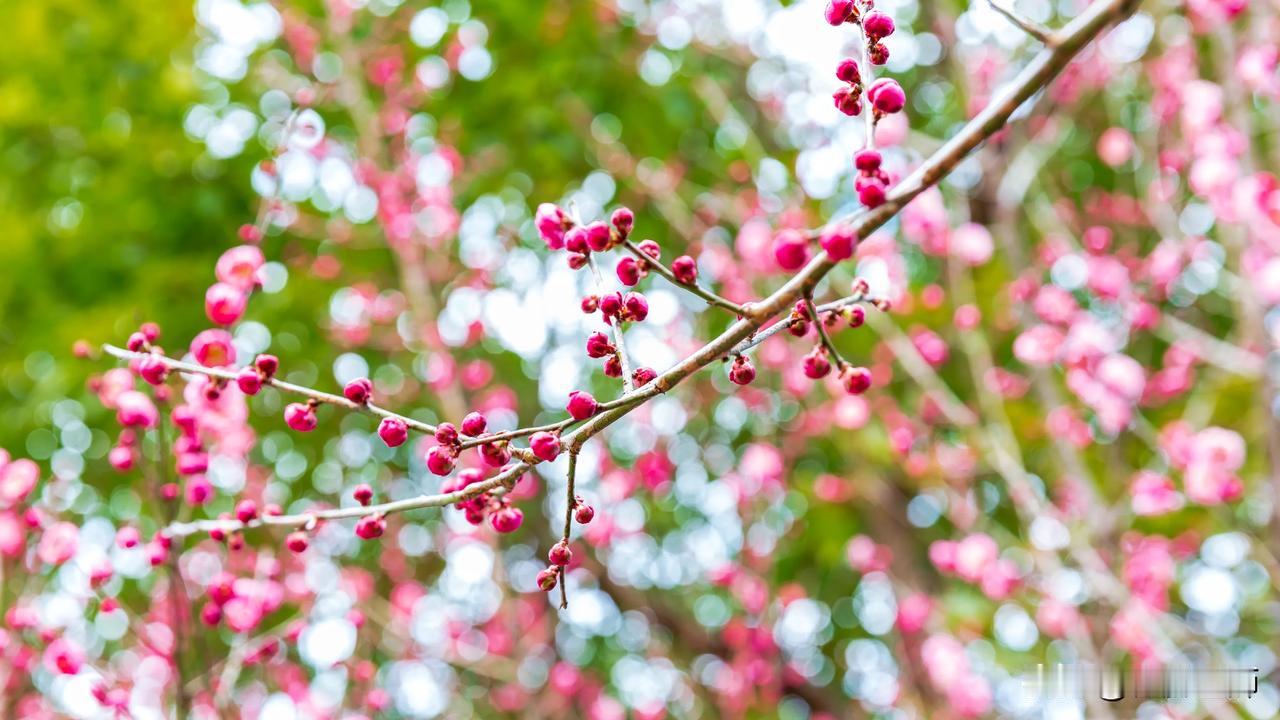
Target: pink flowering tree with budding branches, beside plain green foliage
[963,362]
